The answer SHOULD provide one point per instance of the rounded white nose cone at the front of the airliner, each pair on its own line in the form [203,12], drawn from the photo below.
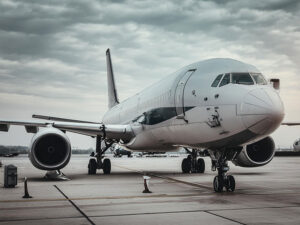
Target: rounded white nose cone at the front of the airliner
[262,110]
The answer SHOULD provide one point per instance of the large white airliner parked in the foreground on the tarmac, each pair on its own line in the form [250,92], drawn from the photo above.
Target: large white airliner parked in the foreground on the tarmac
[221,106]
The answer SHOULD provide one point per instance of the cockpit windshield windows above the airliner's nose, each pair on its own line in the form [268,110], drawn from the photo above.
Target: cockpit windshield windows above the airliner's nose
[239,78]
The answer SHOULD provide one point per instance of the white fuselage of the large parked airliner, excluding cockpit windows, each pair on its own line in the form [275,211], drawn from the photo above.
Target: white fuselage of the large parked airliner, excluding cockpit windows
[184,109]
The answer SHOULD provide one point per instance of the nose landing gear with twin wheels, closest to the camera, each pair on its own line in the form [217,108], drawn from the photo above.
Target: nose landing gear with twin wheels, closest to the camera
[220,162]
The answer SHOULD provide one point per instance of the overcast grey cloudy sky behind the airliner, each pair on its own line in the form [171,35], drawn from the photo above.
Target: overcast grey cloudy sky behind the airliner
[52,53]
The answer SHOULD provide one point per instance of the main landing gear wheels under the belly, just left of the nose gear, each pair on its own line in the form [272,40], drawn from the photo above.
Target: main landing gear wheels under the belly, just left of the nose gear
[191,164]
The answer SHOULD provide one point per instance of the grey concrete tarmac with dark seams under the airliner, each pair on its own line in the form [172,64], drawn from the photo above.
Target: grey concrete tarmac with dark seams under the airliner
[264,195]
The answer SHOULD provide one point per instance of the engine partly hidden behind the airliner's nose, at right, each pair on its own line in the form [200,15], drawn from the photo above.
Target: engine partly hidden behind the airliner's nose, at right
[257,154]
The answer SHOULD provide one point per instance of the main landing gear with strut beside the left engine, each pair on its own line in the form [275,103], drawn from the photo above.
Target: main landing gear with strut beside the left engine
[97,162]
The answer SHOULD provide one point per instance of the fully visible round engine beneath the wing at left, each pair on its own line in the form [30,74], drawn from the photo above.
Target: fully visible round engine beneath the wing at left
[50,149]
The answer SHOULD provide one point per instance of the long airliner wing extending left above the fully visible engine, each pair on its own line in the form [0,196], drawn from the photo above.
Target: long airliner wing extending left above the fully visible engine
[116,132]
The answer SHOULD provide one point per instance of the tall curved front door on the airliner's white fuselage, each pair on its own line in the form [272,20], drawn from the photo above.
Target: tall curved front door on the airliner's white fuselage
[179,94]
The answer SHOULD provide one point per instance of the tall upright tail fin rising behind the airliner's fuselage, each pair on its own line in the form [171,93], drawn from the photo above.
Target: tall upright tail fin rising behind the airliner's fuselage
[112,90]
